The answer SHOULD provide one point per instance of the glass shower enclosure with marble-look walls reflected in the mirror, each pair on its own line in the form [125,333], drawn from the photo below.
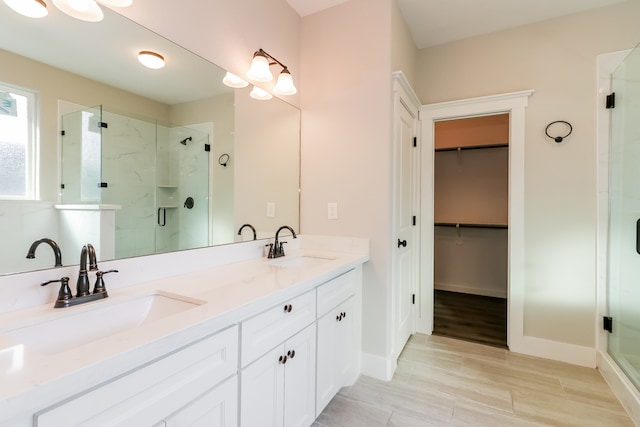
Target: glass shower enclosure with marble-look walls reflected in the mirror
[155,175]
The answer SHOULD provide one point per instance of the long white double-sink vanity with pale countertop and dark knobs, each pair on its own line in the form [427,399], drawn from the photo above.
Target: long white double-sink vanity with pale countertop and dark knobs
[216,336]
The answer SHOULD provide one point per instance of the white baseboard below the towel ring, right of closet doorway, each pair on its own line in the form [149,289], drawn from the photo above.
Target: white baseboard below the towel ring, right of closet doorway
[555,350]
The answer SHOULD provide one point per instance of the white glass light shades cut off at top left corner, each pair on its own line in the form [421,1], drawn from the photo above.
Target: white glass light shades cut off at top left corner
[85,10]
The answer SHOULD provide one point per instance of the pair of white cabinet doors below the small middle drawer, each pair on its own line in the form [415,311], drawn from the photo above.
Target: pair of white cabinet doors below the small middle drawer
[278,389]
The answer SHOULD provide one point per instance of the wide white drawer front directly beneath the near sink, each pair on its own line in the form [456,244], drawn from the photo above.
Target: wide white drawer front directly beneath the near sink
[149,394]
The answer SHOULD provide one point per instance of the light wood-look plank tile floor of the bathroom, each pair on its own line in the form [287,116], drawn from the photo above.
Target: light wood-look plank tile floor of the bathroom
[446,382]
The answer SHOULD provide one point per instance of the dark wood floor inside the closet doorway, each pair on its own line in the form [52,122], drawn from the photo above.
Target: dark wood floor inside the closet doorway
[469,317]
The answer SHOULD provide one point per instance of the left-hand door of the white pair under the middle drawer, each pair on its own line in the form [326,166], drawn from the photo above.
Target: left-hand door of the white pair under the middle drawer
[262,391]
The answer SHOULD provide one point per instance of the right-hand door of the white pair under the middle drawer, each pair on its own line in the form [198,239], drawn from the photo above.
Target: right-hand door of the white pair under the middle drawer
[299,379]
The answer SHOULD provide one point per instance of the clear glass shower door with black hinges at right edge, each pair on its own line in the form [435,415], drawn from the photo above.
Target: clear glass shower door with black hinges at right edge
[624,219]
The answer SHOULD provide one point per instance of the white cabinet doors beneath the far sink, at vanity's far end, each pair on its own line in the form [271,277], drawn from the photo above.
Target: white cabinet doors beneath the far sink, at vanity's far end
[337,352]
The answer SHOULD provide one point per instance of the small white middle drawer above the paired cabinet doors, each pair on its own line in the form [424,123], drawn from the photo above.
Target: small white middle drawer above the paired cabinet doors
[263,332]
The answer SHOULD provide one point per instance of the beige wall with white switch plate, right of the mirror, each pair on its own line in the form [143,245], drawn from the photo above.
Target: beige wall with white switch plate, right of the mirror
[346,131]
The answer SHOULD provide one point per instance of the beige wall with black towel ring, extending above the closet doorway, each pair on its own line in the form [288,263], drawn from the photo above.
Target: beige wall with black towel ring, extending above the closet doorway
[557,59]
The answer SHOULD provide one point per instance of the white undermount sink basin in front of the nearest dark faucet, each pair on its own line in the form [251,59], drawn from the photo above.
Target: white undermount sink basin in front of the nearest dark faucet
[64,330]
